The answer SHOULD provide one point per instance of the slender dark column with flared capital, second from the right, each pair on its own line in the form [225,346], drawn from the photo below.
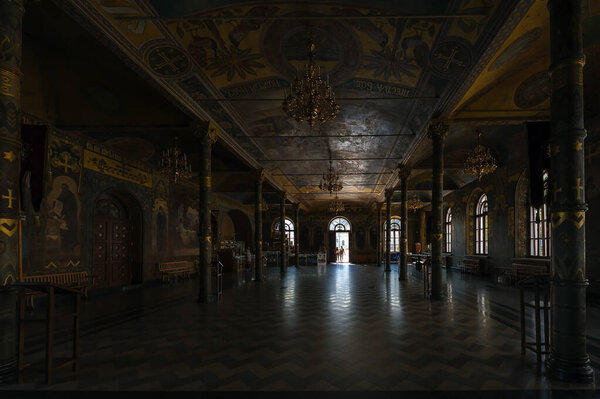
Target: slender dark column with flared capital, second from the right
[437,133]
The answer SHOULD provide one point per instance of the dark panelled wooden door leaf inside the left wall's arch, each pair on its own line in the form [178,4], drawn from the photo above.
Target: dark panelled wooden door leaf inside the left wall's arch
[112,247]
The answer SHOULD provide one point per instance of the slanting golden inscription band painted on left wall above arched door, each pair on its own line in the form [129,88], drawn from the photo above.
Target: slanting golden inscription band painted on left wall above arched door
[115,168]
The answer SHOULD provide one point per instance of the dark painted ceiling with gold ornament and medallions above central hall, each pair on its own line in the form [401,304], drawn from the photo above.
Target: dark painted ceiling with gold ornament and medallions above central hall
[229,61]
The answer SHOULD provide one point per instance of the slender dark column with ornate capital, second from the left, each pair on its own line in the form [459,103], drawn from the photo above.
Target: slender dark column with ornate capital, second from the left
[207,135]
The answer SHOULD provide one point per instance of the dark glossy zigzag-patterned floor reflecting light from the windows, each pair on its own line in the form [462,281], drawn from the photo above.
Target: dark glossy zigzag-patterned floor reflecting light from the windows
[340,327]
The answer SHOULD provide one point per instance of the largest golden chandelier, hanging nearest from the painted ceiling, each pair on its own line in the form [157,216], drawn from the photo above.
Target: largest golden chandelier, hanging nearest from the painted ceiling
[311,99]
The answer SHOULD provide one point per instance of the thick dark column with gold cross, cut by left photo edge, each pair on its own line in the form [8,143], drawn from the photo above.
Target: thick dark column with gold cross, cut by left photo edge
[11,14]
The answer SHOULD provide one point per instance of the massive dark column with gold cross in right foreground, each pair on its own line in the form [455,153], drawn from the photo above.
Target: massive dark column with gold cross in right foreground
[569,360]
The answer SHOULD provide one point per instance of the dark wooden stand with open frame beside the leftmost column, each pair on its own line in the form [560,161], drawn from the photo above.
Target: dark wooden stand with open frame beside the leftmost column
[51,290]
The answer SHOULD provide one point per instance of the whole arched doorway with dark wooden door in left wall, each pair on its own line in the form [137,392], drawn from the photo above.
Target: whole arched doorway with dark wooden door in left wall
[117,240]
